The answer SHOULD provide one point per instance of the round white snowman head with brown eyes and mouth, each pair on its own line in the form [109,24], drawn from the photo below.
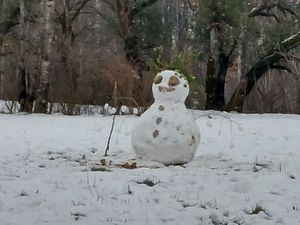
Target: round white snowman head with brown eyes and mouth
[171,86]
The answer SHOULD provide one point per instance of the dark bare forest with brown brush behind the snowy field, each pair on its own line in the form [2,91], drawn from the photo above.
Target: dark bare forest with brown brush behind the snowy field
[238,55]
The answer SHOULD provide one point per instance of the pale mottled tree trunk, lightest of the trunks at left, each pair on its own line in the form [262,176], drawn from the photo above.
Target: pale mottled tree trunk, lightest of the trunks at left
[42,93]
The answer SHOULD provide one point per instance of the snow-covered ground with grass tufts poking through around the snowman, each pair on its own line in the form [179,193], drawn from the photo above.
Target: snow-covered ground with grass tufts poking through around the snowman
[52,171]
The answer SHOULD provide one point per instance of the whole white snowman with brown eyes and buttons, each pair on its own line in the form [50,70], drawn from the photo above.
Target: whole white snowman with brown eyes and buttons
[167,132]
